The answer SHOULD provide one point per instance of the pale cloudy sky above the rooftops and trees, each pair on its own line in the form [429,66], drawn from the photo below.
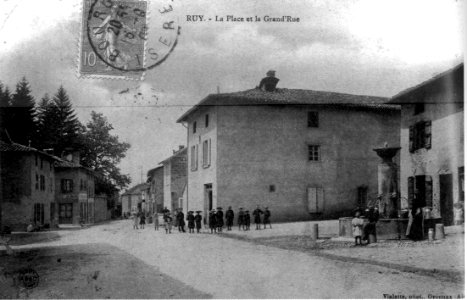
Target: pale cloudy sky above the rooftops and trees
[368,47]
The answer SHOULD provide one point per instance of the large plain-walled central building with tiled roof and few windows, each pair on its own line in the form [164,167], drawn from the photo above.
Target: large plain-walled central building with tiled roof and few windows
[305,154]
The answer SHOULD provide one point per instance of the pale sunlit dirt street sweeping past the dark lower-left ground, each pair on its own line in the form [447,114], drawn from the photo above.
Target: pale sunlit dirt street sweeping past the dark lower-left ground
[224,267]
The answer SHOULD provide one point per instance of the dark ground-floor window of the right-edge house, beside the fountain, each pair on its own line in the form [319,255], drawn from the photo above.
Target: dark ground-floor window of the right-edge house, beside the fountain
[420,191]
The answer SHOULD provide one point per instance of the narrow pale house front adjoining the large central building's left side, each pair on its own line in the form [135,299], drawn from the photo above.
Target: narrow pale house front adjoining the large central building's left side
[175,179]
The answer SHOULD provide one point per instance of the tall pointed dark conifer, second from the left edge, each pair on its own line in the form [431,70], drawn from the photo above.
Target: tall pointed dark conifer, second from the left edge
[22,129]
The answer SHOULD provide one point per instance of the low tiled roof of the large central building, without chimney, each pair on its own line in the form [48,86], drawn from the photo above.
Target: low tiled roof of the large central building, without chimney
[291,97]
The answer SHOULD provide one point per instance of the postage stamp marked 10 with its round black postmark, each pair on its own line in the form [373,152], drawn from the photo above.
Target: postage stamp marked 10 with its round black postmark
[116,41]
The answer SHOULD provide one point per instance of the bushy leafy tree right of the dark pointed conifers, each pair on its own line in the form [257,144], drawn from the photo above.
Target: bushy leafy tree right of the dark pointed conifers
[102,152]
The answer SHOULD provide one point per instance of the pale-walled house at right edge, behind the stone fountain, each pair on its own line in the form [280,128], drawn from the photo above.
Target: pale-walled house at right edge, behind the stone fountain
[432,141]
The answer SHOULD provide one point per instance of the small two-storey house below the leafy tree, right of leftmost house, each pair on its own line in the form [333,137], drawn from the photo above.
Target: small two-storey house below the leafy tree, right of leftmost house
[75,192]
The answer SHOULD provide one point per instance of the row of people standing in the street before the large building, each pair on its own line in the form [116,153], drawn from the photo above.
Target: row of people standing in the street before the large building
[215,219]
